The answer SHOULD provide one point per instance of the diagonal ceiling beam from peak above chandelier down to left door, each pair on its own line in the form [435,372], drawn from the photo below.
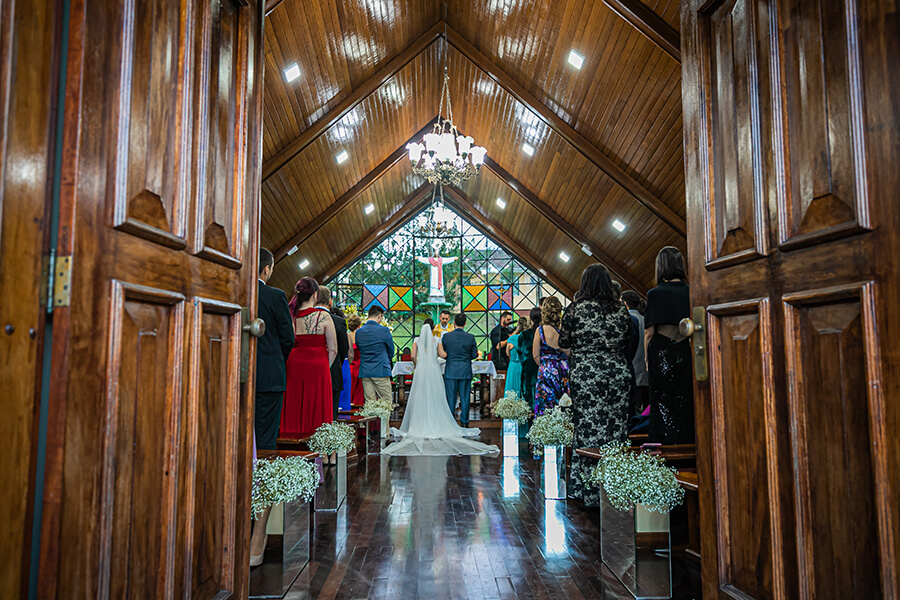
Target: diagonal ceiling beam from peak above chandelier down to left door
[309,135]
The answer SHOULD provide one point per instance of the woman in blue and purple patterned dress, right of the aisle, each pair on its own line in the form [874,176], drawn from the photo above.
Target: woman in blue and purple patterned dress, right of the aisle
[553,361]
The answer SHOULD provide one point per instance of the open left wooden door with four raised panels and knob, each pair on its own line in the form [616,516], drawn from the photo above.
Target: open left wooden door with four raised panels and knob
[149,445]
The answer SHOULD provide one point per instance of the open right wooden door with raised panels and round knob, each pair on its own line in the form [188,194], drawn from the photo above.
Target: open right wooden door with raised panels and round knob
[792,138]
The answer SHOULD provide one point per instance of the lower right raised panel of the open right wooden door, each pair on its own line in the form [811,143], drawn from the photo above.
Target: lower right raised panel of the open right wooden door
[840,443]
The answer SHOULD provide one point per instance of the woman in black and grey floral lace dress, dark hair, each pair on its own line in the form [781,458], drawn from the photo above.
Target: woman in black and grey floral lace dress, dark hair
[595,328]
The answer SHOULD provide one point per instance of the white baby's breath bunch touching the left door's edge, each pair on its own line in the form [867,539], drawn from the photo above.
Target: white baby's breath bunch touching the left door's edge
[282,480]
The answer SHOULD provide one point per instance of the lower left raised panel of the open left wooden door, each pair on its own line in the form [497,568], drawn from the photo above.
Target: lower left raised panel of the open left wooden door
[137,512]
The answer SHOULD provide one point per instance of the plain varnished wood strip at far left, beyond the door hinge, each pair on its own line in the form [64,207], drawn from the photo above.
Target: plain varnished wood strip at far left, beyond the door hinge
[29,72]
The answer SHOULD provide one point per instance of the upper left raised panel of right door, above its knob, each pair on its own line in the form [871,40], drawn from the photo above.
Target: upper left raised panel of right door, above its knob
[732,156]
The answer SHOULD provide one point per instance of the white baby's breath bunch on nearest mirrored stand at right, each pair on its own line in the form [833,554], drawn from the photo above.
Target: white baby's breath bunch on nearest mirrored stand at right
[631,478]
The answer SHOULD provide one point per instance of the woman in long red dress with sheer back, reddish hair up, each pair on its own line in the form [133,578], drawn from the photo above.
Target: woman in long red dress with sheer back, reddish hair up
[307,400]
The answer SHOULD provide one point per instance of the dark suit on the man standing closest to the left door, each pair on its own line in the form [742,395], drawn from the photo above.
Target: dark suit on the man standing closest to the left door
[272,351]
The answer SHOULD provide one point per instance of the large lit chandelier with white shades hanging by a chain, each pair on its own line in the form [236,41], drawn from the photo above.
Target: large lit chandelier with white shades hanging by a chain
[446,157]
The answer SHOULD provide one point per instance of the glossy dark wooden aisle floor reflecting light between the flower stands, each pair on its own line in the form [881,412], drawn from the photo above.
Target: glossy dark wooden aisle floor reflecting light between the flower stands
[454,527]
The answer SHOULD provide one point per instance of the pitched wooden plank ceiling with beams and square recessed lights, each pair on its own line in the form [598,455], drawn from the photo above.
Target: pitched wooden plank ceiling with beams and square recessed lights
[608,137]
